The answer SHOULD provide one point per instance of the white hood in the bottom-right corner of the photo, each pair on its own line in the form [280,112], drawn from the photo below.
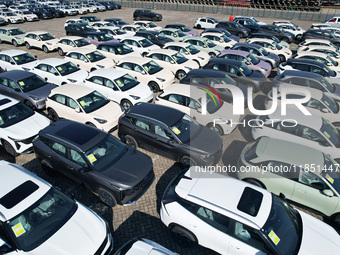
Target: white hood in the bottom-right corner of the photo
[318,237]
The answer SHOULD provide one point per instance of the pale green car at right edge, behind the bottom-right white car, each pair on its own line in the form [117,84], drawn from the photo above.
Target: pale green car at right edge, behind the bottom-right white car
[303,174]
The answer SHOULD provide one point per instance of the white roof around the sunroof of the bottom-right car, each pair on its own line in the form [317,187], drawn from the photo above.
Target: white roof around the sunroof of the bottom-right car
[222,194]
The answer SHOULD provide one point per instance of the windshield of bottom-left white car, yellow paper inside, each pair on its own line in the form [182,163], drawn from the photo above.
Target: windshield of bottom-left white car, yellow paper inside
[43,219]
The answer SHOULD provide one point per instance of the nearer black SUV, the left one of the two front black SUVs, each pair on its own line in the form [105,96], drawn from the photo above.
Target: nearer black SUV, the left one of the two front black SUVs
[95,159]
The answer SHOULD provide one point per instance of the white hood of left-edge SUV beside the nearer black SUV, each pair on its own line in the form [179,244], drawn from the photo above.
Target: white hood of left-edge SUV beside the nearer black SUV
[28,127]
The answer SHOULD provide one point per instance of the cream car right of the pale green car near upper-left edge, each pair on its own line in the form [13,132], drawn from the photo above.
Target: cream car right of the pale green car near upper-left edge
[41,40]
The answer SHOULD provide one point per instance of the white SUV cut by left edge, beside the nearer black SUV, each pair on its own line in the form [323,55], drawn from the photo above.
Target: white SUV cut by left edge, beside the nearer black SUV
[19,125]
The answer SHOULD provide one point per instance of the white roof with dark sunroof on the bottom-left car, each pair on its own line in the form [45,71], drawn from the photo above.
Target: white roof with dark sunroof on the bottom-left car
[26,189]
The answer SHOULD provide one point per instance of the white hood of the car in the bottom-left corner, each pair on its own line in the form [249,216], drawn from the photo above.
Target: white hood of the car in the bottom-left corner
[87,232]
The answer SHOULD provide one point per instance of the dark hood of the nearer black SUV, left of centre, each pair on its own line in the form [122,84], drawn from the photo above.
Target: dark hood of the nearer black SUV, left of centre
[129,170]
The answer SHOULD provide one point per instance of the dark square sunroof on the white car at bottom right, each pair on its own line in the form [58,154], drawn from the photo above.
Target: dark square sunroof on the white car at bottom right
[250,201]
